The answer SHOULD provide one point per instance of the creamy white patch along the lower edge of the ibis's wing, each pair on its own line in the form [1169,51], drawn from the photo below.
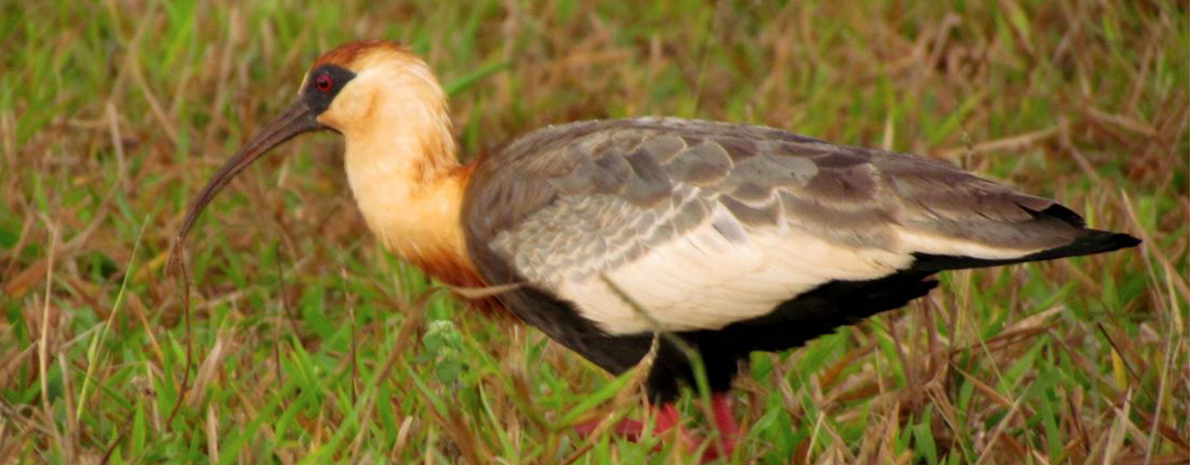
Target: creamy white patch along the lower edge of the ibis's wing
[704,280]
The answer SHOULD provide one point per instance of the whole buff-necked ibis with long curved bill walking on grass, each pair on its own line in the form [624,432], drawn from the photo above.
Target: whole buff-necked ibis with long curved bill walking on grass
[656,238]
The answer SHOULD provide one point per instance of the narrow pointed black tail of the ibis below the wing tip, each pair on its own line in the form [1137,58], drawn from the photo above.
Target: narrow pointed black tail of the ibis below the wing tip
[1091,243]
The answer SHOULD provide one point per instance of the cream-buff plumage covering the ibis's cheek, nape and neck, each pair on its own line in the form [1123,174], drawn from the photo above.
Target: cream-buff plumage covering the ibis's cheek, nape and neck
[400,158]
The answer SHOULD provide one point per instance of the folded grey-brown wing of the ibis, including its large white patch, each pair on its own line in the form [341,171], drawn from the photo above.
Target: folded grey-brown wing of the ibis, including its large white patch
[703,224]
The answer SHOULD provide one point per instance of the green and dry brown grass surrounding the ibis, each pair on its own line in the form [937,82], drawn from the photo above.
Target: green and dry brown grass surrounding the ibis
[306,343]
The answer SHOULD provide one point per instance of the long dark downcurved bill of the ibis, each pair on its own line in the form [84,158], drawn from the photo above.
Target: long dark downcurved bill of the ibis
[296,121]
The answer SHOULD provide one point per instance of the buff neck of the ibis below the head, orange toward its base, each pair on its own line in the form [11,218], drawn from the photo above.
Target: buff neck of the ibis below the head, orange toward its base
[409,185]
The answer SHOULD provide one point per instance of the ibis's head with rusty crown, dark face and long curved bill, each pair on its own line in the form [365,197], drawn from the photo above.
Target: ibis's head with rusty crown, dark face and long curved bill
[350,90]
